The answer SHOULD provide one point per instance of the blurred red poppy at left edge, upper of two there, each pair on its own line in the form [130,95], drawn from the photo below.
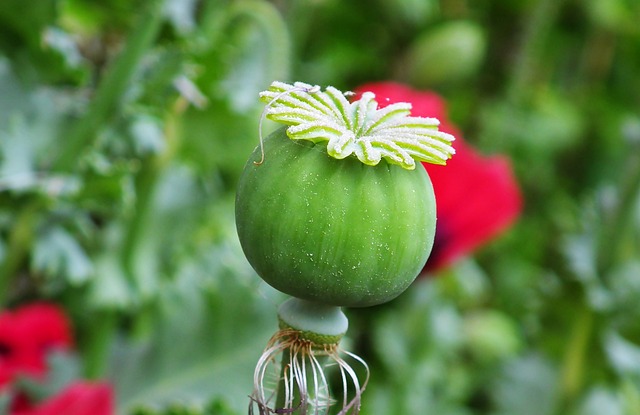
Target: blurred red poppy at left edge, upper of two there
[27,335]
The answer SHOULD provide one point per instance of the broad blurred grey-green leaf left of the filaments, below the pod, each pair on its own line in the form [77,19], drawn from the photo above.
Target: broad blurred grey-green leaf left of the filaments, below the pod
[211,327]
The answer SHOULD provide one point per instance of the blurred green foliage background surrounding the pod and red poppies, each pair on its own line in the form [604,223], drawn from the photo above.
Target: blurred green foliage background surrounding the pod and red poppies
[124,126]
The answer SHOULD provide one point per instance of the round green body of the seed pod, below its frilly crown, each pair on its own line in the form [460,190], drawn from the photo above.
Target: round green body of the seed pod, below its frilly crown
[333,231]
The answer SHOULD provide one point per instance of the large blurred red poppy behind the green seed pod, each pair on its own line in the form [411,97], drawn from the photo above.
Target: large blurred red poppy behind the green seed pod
[477,197]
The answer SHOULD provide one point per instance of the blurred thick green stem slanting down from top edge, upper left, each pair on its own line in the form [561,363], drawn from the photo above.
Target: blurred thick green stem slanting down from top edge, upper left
[112,87]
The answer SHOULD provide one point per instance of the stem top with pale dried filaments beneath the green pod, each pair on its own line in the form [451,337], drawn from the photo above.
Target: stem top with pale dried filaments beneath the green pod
[300,360]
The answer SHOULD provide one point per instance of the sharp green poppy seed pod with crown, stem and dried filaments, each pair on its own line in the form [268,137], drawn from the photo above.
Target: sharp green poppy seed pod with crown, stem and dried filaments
[333,211]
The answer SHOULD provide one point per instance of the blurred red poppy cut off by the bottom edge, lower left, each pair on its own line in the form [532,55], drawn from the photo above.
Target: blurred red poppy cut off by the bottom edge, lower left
[81,398]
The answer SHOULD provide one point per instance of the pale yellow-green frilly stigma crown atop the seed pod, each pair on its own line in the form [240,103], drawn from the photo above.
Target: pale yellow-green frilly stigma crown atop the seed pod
[357,128]
